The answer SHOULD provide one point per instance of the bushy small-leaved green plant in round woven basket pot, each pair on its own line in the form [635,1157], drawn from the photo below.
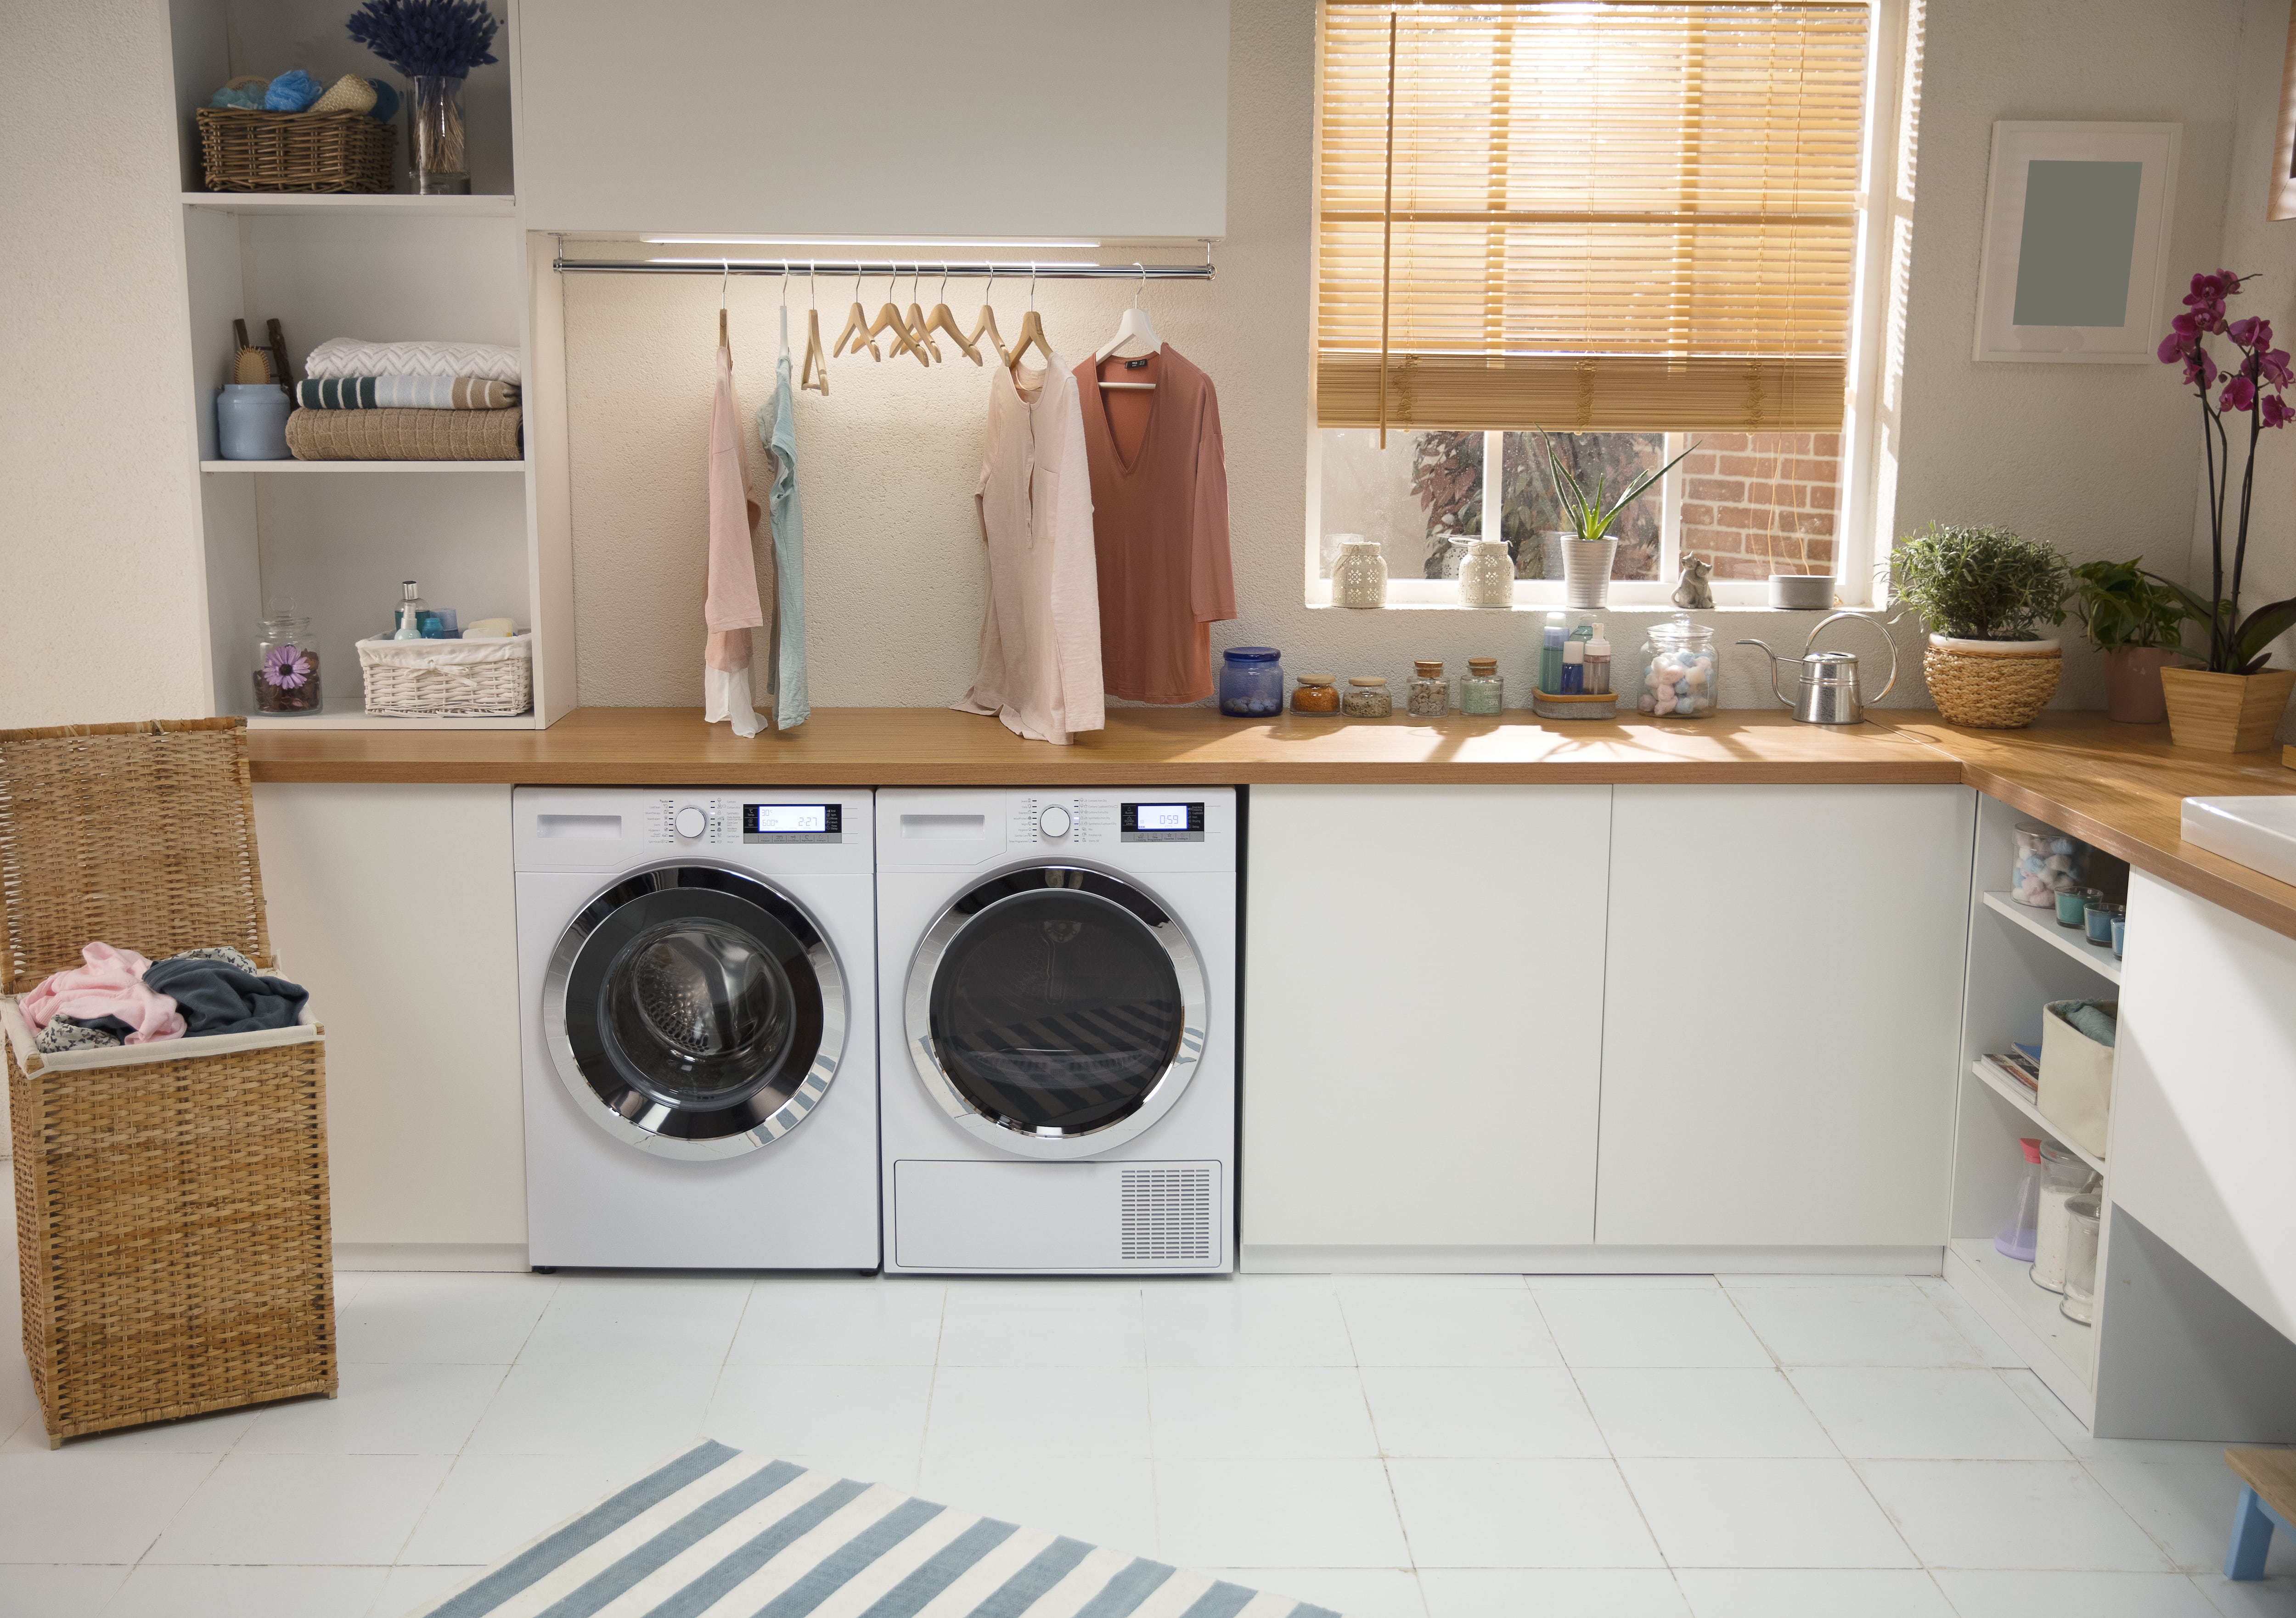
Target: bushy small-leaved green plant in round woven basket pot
[1983,591]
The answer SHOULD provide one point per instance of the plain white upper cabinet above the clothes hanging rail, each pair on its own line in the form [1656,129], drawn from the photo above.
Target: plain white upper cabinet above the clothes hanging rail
[876,118]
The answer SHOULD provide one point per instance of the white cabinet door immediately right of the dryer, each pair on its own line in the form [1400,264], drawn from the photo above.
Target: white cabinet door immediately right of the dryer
[1422,1016]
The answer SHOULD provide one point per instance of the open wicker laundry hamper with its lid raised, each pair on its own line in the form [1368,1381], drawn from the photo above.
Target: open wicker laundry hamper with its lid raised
[171,1197]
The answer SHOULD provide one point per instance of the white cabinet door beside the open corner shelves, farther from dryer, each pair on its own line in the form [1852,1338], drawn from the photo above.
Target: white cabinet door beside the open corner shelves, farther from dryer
[1783,1016]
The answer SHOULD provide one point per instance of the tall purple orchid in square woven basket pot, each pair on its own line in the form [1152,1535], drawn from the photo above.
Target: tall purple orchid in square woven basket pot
[2235,703]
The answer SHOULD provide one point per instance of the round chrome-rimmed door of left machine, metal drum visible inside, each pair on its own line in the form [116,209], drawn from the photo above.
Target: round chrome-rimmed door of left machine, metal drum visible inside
[695,1011]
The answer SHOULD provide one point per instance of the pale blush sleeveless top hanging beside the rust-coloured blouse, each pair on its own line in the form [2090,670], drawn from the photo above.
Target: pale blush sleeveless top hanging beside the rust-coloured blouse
[1041,630]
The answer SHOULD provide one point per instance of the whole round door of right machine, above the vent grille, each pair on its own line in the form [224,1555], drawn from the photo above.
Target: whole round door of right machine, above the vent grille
[1055,1011]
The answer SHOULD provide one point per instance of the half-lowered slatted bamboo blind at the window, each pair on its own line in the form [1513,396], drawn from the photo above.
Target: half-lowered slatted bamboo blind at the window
[1572,215]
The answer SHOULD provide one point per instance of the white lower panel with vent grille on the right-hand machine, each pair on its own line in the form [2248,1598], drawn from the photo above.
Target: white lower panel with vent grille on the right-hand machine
[1119,1218]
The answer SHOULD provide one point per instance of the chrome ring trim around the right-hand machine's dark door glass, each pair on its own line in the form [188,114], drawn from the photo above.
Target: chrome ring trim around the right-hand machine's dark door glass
[1110,889]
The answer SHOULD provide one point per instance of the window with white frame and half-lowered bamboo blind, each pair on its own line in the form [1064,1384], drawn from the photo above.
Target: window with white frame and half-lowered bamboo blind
[1638,226]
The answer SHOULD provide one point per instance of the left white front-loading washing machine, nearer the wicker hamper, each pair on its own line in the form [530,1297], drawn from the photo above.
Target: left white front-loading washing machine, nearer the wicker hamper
[697,977]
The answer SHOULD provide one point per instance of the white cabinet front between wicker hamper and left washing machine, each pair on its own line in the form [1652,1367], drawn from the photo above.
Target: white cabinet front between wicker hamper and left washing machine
[394,908]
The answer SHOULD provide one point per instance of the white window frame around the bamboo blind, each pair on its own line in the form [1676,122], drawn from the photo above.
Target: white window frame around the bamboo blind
[1870,428]
